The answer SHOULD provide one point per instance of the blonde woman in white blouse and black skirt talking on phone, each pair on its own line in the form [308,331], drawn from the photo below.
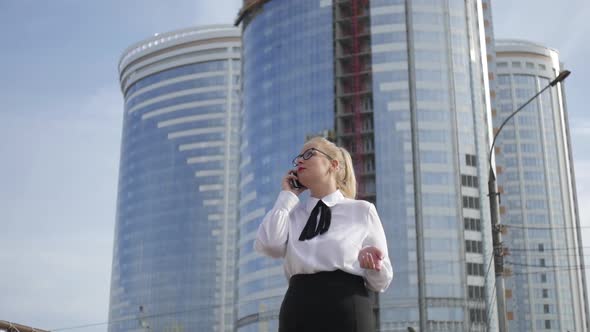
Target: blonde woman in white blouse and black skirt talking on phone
[333,245]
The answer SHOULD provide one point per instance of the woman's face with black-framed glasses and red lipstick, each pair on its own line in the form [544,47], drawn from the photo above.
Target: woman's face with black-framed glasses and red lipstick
[315,169]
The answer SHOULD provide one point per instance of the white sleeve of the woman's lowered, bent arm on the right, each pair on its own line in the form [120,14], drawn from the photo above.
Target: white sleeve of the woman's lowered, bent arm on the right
[377,280]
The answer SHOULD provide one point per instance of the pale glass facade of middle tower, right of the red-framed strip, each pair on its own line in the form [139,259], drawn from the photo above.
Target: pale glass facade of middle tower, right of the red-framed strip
[430,154]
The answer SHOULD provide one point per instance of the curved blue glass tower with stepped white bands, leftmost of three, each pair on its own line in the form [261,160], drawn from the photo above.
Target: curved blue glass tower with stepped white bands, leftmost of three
[174,250]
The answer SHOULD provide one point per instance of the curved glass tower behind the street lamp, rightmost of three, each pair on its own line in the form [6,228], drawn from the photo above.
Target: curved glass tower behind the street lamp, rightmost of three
[547,288]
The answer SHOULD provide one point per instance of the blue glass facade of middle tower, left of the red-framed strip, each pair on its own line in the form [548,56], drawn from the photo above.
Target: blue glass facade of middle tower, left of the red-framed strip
[288,94]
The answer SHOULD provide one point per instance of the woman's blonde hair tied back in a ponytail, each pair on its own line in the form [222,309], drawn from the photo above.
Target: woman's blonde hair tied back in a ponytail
[345,179]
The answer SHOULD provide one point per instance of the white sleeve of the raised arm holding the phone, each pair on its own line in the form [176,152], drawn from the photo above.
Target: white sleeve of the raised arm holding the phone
[273,232]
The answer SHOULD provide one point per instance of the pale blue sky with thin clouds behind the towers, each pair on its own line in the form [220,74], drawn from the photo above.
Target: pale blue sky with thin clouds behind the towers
[60,130]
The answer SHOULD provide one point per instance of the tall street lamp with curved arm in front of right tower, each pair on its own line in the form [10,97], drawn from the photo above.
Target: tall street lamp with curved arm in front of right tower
[494,212]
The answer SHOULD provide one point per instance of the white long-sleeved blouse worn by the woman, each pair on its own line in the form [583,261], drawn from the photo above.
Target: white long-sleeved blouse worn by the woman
[355,225]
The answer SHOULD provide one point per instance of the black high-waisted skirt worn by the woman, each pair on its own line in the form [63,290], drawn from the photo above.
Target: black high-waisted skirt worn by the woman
[327,301]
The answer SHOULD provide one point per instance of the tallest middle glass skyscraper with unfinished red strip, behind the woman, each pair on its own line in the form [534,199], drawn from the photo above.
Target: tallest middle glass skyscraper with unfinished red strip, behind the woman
[403,85]
